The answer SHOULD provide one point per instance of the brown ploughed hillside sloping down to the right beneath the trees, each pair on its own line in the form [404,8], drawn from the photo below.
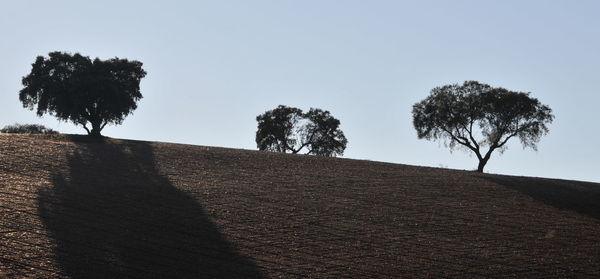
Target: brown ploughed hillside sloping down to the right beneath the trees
[71,207]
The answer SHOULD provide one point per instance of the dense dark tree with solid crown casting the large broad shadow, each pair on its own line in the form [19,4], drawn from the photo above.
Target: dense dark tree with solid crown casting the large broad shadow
[84,91]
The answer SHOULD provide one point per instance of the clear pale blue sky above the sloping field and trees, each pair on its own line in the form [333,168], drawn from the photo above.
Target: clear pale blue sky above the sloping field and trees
[214,66]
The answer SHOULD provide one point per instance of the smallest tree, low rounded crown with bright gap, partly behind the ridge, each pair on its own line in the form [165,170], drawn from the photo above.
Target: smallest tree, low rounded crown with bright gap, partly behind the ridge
[288,129]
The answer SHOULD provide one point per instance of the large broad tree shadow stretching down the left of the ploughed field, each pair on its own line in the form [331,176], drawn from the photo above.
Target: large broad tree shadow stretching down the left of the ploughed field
[112,215]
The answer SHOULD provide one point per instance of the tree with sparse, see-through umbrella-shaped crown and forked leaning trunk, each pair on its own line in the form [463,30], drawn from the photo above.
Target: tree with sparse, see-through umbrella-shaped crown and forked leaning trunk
[456,113]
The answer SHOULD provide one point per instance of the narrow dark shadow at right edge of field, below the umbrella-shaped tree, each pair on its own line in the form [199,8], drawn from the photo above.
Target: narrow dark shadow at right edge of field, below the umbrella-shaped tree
[582,197]
